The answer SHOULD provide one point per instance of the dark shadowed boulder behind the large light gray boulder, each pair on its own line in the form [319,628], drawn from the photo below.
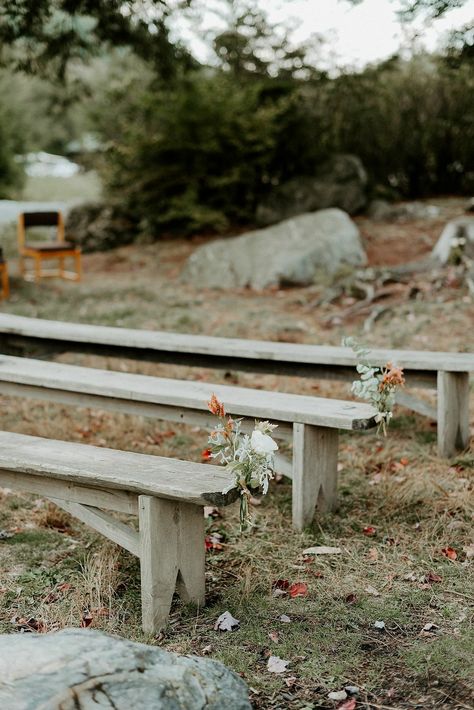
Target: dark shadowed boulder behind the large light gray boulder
[339,182]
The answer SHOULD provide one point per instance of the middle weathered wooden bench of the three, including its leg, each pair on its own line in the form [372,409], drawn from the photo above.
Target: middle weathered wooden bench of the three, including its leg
[312,423]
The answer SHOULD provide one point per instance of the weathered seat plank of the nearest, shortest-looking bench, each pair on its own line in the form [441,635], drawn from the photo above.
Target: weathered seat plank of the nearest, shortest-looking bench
[200,484]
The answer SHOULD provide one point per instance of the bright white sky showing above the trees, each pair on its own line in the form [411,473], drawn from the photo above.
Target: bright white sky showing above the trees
[354,36]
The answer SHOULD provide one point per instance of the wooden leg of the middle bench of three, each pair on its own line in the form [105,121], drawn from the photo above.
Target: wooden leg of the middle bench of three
[314,472]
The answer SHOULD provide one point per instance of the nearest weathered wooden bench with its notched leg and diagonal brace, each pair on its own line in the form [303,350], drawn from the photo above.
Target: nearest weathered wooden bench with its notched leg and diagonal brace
[167,495]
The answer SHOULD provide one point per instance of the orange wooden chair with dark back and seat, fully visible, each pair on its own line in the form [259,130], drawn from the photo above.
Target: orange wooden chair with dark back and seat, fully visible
[40,251]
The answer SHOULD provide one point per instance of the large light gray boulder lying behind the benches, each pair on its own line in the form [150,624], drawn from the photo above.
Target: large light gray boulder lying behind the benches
[296,252]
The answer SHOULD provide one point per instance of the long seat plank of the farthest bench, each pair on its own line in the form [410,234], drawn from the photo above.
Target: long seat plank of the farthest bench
[212,346]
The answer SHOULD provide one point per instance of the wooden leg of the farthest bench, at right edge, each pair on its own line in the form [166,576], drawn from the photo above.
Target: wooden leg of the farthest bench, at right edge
[453,412]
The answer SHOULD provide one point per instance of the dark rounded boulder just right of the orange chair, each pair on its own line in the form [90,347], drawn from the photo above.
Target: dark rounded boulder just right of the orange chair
[98,227]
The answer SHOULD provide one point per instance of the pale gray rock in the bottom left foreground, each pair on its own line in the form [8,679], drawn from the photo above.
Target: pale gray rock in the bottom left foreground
[79,668]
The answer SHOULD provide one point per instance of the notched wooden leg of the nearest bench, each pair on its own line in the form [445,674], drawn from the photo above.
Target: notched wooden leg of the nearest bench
[171,543]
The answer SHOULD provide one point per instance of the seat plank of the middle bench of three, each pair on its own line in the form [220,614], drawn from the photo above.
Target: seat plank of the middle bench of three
[240,401]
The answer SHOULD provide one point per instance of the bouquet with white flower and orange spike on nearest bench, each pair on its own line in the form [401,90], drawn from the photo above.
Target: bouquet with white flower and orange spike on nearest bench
[249,457]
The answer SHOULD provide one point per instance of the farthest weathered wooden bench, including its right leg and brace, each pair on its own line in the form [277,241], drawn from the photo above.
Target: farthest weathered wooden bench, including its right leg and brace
[446,372]
